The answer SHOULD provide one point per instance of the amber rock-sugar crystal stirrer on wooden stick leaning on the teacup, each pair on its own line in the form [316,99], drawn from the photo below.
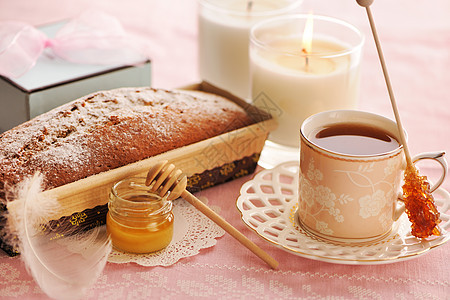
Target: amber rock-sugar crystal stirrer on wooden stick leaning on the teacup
[419,201]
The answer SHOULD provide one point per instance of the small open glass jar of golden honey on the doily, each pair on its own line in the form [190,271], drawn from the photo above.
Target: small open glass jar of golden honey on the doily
[138,221]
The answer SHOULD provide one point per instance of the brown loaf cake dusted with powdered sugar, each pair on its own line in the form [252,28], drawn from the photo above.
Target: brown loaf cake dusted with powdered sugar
[109,129]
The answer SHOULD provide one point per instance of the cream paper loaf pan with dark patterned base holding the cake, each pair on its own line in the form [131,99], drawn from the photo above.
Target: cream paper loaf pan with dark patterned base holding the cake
[206,163]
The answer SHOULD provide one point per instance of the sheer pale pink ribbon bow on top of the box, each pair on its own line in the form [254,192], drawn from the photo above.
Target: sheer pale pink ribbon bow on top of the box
[92,38]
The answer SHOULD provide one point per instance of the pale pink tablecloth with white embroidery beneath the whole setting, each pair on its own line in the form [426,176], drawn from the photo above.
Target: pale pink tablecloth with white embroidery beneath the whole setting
[416,41]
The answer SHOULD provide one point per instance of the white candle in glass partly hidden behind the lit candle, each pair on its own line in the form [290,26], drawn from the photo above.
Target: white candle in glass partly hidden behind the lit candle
[224,27]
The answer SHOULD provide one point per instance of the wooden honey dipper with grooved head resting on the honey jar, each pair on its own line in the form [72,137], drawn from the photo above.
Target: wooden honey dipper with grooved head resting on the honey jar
[164,177]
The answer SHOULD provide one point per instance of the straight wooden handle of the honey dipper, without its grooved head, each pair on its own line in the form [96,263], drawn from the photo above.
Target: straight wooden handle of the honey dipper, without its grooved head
[229,228]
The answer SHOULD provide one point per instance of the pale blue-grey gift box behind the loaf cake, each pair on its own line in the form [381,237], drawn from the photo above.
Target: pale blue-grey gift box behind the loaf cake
[53,81]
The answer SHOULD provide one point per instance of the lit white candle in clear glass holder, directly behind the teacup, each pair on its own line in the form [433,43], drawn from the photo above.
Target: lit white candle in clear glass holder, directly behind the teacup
[294,76]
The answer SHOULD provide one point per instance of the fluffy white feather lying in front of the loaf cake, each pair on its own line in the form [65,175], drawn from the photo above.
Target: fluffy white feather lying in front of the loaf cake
[64,264]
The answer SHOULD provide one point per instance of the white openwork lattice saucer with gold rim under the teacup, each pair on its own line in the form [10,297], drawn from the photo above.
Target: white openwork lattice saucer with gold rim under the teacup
[268,205]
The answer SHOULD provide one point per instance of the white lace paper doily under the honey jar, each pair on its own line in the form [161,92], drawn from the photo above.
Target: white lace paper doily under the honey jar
[192,231]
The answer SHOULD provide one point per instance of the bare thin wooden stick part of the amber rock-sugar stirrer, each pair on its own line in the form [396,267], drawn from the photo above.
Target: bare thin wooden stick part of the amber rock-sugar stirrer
[366,4]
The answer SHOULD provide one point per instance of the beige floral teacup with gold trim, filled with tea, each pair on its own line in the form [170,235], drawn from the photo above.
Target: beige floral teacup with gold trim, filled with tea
[348,193]
